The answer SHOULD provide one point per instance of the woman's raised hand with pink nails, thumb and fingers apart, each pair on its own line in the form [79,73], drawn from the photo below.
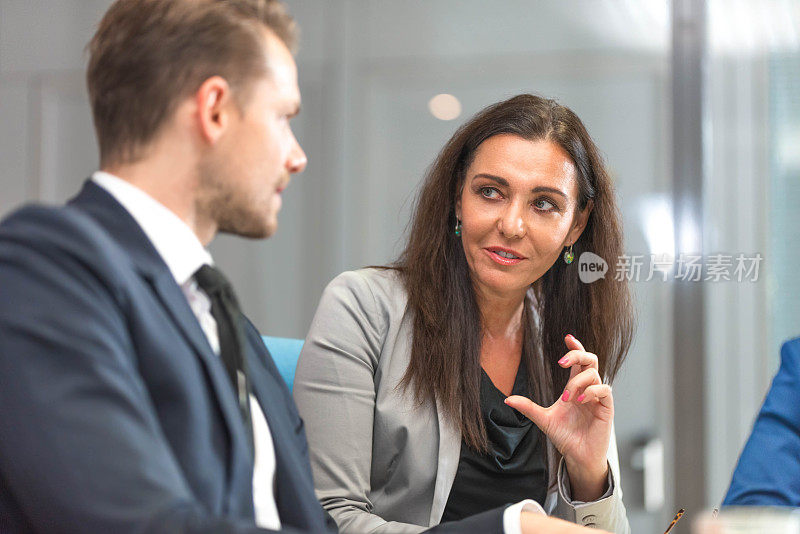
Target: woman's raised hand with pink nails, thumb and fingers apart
[578,423]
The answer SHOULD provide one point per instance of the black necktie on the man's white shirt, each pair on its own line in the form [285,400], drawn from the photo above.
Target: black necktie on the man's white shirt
[226,312]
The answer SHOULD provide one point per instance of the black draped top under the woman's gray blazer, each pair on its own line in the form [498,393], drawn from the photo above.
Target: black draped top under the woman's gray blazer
[515,467]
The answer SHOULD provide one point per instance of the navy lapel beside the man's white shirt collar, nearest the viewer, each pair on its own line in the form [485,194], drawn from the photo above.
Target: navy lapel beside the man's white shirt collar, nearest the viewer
[122,227]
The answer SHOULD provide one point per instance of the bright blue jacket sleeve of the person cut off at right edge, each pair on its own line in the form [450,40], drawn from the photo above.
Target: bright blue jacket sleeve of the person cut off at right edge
[768,472]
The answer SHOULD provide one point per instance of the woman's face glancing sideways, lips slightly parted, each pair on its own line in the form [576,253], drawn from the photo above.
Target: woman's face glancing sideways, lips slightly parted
[518,210]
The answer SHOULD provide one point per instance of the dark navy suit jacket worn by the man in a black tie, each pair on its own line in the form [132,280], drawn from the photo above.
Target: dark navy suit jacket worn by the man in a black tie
[115,413]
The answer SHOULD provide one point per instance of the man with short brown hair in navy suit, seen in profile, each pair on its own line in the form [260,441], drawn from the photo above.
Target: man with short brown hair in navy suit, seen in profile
[135,397]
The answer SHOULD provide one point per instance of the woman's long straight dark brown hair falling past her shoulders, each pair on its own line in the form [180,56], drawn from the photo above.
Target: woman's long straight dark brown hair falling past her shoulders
[445,351]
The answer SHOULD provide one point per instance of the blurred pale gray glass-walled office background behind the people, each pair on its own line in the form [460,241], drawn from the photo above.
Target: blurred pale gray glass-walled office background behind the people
[695,103]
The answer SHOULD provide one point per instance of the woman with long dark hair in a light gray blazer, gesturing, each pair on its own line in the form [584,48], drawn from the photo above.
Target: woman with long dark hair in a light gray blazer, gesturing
[415,380]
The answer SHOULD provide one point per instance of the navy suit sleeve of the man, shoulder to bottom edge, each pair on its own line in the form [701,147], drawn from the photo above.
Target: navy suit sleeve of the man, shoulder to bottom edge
[81,449]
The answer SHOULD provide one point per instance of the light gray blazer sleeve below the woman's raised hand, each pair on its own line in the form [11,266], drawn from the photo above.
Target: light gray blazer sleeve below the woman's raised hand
[607,513]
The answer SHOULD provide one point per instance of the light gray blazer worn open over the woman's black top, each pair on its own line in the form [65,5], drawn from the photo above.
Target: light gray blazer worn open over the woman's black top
[382,463]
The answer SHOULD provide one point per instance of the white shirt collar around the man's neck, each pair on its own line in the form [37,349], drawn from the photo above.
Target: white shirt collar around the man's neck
[177,244]
